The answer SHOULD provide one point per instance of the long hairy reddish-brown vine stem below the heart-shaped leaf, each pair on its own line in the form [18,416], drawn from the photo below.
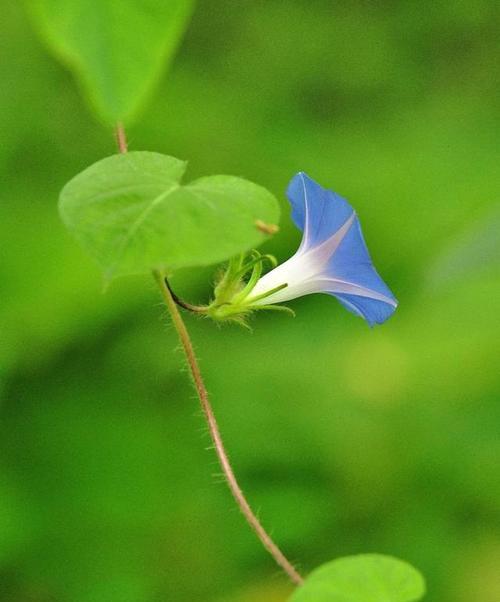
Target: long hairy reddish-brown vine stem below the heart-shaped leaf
[215,435]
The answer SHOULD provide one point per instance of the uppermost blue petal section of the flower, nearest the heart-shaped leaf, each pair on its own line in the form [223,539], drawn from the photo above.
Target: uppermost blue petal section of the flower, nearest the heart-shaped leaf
[318,212]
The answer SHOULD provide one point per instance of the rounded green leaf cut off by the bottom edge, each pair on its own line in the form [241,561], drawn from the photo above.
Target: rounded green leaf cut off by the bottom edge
[363,578]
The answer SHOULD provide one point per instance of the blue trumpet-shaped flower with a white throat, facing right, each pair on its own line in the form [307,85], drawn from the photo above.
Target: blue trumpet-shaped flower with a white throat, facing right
[332,257]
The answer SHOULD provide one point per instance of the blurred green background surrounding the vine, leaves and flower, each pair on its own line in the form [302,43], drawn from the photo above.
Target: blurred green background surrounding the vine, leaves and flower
[345,439]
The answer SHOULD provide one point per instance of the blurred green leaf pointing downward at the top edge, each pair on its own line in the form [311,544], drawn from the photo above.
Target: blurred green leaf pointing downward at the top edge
[116,48]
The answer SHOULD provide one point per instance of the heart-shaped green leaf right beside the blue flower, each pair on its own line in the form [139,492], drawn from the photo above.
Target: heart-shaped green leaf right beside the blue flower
[133,215]
